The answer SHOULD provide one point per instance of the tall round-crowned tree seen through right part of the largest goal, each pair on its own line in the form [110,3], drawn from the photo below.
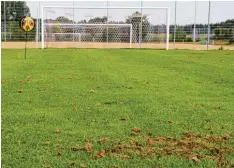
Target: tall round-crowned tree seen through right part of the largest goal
[140,24]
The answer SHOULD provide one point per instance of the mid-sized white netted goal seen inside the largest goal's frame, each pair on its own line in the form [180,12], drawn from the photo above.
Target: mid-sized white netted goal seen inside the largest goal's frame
[88,33]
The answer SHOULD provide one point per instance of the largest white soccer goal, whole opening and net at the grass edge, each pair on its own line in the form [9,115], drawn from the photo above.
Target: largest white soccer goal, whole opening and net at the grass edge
[105,27]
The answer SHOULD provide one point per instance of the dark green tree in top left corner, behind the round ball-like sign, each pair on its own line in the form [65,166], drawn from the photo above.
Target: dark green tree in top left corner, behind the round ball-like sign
[14,10]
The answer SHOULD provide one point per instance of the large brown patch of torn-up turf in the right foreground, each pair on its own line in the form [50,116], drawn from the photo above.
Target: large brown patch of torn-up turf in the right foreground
[191,146]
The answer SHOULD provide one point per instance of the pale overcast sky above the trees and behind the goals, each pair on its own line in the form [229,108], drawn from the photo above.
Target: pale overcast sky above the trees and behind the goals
[220,11]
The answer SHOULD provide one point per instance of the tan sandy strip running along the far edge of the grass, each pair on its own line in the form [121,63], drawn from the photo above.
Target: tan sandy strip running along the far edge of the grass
[20,45]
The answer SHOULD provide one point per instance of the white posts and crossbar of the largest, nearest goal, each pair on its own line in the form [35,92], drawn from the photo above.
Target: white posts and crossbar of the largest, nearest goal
[79,7]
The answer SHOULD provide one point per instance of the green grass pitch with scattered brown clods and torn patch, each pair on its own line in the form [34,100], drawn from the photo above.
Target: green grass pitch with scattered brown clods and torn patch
[59,100]
